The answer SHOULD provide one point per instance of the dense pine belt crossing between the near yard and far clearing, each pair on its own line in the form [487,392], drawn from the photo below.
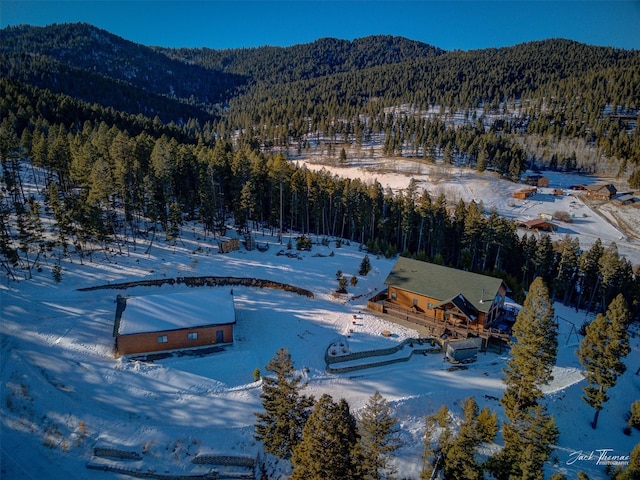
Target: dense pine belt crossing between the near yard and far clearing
[102,184]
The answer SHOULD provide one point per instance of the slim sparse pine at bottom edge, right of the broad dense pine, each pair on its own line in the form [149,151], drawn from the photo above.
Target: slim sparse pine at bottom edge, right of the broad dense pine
[378,432]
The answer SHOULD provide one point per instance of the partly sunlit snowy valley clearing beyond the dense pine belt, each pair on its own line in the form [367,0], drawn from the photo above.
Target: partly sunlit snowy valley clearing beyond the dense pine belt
[604,220]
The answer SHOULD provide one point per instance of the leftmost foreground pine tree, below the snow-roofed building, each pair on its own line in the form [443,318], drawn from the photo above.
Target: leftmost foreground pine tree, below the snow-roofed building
[286,411]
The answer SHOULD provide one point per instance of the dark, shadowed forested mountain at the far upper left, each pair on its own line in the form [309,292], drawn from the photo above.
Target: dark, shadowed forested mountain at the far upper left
[92,64]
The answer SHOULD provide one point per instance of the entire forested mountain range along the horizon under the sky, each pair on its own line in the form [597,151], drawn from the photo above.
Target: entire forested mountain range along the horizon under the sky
[559,86]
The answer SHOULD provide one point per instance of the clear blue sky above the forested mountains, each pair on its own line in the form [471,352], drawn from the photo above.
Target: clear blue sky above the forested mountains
[452,24]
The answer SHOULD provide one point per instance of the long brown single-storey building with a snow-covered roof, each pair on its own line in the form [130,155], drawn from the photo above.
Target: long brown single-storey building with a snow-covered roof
[174,321]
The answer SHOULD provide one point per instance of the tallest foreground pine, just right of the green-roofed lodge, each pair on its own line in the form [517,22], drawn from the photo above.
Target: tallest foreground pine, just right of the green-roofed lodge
[529,430]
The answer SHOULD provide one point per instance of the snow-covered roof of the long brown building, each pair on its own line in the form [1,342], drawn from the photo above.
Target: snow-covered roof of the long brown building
[157,313]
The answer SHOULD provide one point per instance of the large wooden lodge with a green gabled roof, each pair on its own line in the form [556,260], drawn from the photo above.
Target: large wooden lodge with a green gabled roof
[445,294]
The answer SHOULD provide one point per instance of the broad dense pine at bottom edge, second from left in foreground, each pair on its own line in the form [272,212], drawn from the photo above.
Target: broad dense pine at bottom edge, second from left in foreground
[327,449]
